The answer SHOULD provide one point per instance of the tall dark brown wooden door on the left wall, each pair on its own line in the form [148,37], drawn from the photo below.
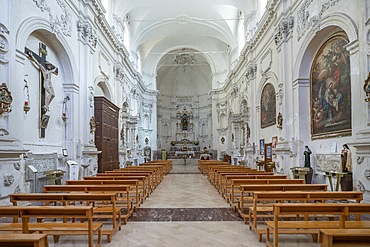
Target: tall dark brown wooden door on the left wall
[106,135]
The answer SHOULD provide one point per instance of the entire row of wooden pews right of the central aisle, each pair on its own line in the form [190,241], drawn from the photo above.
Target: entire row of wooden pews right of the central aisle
[275,205]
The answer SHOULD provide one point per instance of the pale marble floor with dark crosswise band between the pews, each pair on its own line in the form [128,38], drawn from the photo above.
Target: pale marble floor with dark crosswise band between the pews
[185,210]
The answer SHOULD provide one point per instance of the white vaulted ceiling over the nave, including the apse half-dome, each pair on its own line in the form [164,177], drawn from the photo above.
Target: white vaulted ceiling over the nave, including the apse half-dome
[183,40]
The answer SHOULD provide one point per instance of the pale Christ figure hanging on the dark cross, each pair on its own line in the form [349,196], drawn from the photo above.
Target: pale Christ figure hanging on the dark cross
[48,86]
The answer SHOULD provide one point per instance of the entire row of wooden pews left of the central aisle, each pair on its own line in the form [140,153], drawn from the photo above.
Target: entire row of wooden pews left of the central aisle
[81,207]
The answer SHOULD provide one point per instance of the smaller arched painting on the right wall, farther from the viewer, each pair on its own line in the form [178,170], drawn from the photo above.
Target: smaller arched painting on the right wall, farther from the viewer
[268,106]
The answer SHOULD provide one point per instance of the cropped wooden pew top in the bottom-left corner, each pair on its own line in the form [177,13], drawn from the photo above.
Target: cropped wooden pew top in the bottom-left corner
[25,240]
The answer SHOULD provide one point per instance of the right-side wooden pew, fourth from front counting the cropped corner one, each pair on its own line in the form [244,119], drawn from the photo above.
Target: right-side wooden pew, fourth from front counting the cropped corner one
[248,190]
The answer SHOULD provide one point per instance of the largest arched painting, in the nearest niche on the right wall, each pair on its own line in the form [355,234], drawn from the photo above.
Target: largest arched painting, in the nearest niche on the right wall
[330,86]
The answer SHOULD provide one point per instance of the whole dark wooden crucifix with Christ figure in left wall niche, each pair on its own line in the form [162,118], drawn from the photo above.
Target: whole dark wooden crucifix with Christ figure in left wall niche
[46,88]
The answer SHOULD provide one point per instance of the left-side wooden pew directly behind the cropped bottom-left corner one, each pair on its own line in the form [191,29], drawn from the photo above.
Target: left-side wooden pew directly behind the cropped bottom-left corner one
[54,228]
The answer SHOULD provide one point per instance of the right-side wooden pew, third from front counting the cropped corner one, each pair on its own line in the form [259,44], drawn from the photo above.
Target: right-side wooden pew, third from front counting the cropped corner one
[262,202]
